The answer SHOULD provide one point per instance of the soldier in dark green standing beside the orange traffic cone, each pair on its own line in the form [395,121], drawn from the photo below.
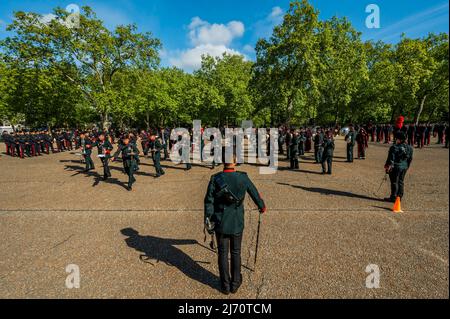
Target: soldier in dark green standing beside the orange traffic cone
[398,162]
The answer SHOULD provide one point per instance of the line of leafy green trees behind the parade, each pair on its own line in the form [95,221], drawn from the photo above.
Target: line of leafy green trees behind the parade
[308,72]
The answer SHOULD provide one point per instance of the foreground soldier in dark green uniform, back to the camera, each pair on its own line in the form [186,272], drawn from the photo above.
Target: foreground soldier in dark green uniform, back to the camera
[224,208]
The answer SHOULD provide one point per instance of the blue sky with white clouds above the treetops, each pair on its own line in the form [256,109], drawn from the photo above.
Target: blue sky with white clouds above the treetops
[191,28]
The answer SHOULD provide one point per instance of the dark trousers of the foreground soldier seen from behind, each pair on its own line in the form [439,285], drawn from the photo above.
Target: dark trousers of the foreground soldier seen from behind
[229,244]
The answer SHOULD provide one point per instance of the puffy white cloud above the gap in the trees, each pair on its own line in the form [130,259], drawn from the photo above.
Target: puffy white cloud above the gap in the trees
[207,39]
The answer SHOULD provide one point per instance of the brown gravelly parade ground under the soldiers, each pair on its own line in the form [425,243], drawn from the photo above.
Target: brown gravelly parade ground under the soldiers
[317,239]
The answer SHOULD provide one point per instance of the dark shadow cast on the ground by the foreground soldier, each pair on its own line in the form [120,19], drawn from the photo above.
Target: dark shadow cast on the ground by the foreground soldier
[164,250]
